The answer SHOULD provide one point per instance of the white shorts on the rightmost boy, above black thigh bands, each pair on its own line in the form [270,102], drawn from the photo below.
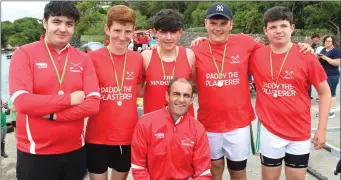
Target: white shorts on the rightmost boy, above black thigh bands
[274,147]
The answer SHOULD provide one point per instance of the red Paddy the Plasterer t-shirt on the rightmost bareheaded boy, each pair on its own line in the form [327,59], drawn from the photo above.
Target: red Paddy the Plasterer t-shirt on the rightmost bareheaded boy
[287,116]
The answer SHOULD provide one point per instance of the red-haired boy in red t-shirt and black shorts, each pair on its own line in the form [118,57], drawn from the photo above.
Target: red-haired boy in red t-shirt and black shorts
[119,71]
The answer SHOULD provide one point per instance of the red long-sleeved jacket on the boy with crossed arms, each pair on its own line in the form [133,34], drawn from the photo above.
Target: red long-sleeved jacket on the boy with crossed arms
[34,90]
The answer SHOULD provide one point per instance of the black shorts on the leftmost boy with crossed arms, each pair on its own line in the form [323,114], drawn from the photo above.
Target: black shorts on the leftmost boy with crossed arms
[68,166]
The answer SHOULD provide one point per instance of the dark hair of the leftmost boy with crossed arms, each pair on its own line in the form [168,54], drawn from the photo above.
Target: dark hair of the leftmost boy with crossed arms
[61,8]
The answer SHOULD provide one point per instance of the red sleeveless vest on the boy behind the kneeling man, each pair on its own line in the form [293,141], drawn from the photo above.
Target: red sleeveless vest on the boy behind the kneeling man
[156,83]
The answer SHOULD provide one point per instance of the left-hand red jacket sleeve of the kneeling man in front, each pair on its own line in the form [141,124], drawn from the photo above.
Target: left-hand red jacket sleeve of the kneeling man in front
[139,153]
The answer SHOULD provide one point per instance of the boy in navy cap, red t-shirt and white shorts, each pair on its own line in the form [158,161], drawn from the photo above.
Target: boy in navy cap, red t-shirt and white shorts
[223,90]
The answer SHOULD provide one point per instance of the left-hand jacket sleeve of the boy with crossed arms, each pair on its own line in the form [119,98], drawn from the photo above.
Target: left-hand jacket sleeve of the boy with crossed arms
[21,87]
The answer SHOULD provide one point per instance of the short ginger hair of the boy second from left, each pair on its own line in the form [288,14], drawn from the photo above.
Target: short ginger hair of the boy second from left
[121,14]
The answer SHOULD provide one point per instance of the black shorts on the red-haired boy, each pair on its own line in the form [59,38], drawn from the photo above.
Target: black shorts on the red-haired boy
[100,157]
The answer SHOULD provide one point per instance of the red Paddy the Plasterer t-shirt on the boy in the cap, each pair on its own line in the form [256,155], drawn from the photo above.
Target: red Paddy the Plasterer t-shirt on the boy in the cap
[229,107]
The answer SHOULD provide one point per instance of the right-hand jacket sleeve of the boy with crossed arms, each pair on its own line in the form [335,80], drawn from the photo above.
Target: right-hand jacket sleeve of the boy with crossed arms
[90,105]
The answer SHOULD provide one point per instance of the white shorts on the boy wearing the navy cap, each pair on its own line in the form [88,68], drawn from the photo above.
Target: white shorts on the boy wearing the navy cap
[235,145]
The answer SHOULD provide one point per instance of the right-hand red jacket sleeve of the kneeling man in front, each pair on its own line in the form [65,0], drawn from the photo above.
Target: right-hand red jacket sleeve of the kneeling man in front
[202,157]
